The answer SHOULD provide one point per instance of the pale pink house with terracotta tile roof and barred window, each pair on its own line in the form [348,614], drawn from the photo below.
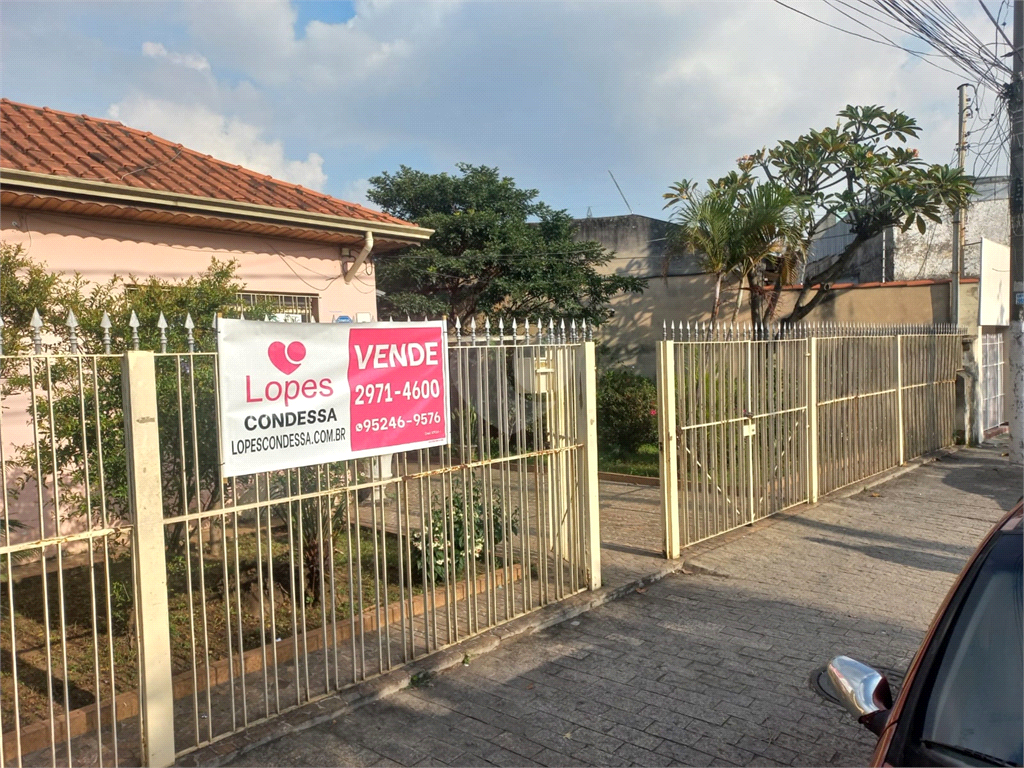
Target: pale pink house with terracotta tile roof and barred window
[93,196]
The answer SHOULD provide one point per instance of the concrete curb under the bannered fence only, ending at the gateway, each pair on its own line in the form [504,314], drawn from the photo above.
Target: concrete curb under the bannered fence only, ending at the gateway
[346,702]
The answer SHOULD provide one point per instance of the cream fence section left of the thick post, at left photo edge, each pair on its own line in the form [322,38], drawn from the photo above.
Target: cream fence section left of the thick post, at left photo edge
[69,663]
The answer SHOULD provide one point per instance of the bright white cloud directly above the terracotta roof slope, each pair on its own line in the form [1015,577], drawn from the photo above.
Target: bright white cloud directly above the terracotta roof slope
[230,140]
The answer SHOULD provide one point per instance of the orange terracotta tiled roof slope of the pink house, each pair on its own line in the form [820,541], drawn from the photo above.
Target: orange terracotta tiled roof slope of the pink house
[45,141]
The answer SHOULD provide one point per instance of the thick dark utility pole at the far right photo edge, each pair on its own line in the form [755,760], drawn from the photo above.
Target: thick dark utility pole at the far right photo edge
[1016,347]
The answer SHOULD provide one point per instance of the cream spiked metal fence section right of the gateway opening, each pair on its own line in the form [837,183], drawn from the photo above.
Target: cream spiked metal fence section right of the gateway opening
[755,420]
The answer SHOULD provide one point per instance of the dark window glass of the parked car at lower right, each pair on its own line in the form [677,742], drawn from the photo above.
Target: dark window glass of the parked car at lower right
[976,707]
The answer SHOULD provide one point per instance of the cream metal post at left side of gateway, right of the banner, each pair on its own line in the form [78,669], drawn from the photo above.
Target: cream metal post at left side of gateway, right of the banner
[587,433]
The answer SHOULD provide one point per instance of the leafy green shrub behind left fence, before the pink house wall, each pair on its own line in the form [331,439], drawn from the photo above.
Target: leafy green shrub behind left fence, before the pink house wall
[87,403]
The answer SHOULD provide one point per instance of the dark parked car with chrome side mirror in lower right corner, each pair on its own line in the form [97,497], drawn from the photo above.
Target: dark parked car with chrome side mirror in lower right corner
[963,700]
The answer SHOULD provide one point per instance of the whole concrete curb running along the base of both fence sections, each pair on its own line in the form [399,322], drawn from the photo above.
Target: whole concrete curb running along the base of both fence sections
[346,702]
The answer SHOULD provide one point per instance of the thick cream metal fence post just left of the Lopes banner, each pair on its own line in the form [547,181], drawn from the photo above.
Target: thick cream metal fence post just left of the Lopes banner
[139,381]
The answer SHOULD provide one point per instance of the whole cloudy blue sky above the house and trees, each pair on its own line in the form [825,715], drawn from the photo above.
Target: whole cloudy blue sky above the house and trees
[328,95]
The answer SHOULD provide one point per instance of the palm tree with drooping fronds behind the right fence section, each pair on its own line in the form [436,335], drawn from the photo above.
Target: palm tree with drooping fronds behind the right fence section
[734,229]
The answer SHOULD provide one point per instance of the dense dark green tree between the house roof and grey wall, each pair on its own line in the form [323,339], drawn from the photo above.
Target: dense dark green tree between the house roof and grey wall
[496,250]
